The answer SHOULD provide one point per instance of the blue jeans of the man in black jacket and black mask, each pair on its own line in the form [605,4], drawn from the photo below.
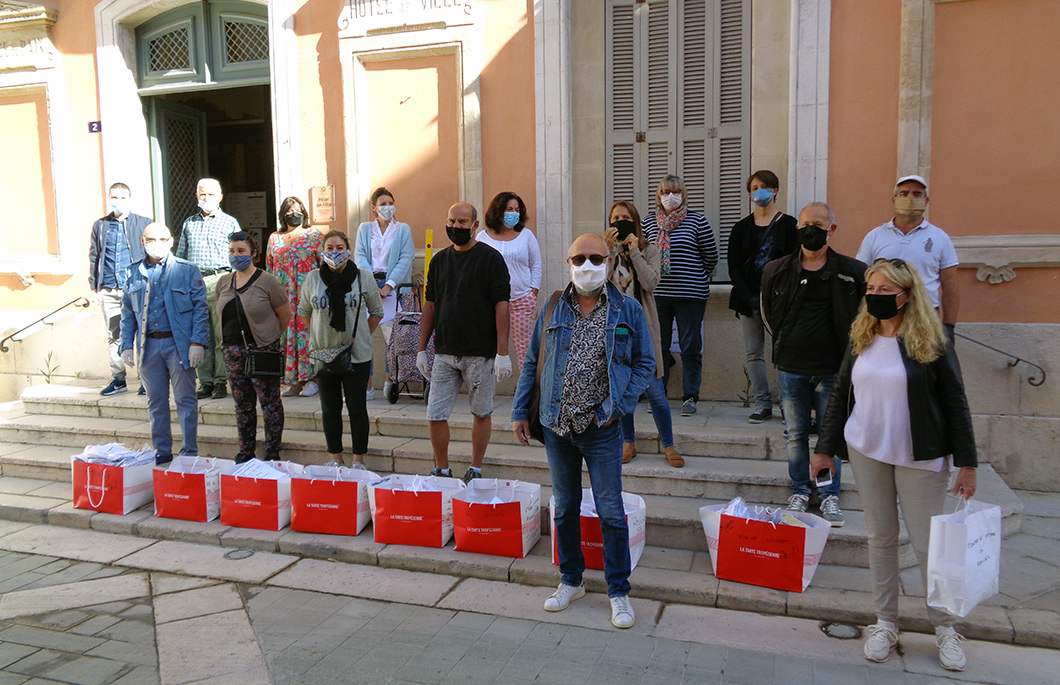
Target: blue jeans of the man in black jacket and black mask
[800,396]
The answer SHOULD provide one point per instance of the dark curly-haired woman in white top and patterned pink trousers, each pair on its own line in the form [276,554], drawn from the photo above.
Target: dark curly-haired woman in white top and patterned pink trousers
[505,221]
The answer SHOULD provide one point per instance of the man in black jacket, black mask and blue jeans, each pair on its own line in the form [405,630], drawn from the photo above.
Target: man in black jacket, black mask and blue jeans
[809,301]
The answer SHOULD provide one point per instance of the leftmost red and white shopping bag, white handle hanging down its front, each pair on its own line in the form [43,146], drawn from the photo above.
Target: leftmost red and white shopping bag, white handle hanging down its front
[111,489]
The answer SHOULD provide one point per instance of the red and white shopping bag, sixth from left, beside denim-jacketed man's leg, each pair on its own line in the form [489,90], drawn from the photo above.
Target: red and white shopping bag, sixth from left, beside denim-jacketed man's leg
[504,530]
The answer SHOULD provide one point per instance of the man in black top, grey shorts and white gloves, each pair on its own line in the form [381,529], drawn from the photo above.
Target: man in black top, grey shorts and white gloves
[467,309]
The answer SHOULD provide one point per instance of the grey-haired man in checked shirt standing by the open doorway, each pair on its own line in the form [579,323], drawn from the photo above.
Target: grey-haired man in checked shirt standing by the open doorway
[204,242]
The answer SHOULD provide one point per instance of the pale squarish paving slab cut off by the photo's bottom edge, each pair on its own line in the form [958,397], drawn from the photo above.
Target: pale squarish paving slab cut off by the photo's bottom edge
[208,647]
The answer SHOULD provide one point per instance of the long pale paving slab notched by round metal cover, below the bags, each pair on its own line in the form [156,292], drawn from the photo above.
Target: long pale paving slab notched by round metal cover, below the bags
[207,561]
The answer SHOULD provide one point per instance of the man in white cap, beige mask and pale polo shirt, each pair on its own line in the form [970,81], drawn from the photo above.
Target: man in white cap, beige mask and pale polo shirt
[913,239]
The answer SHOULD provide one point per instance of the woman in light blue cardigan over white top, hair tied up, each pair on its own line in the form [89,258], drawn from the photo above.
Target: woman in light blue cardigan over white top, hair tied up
[385,249]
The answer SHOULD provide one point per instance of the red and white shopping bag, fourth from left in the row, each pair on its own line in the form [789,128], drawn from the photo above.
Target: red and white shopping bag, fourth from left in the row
[331,500]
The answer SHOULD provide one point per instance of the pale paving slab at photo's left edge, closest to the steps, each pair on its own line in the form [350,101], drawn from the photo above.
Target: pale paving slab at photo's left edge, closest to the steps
[86,546]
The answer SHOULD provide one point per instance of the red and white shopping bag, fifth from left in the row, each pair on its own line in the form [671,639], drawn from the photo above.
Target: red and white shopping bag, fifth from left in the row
[414,511]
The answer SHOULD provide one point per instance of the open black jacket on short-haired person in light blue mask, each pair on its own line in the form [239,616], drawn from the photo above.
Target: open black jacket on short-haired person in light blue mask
[747,276]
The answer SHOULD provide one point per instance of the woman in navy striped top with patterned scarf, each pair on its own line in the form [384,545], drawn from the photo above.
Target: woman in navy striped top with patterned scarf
[688,255]
